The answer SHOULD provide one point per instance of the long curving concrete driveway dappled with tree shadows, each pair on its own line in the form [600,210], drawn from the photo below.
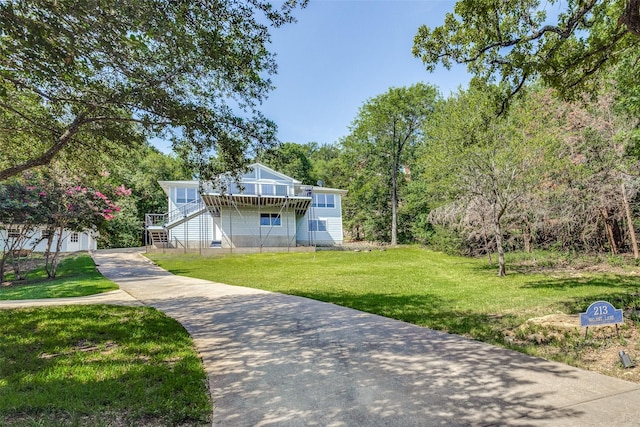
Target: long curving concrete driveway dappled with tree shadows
[278,360]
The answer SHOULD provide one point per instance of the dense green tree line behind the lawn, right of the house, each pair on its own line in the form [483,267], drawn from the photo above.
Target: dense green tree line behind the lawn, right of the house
[547,174]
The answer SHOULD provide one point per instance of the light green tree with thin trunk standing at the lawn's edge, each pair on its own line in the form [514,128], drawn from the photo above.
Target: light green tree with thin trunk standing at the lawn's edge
[482,169]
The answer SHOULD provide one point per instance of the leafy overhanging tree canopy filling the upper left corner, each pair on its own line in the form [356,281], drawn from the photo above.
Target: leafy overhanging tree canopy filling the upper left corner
[78,74]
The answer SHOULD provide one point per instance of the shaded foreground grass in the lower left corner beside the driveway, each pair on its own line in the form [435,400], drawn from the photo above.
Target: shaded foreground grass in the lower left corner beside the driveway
[100,366]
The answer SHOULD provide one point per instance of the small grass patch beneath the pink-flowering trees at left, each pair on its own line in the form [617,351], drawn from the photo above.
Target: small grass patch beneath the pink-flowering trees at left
[77,276]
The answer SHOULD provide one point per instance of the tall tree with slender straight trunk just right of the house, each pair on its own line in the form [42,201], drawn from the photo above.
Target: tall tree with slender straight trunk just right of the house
[380,151]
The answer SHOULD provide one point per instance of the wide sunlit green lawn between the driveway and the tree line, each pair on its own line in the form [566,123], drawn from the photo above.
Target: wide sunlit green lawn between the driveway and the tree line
[454,294]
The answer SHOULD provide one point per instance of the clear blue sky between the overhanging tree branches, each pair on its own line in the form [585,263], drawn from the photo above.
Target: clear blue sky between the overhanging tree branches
[341,53]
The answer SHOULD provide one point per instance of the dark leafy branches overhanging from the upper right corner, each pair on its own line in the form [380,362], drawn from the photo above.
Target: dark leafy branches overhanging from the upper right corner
[568,45]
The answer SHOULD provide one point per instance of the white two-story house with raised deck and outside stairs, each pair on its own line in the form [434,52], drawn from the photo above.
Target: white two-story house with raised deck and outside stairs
[264,210]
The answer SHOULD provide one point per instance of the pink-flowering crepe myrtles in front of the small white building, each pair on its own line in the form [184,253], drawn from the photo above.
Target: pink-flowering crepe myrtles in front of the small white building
[49,213]
